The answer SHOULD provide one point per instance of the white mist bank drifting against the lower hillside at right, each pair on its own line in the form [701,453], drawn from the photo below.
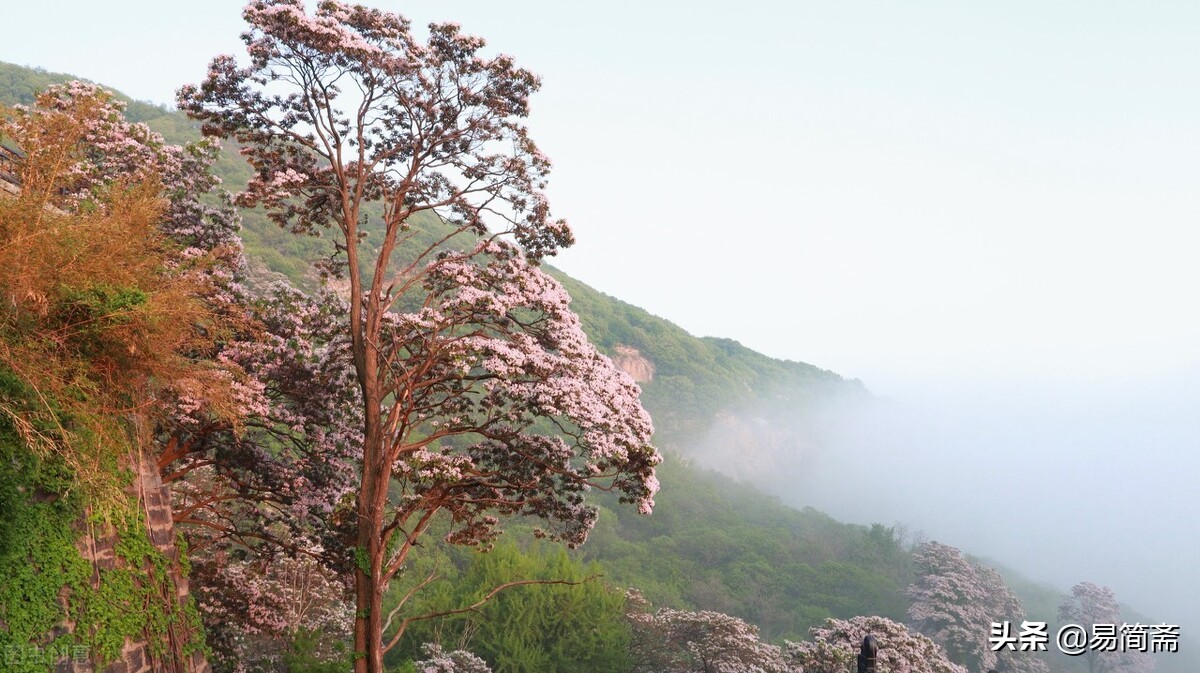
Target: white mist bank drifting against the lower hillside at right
[1063,482]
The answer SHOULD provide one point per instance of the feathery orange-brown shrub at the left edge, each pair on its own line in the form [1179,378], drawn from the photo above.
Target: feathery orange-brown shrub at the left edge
[101,317]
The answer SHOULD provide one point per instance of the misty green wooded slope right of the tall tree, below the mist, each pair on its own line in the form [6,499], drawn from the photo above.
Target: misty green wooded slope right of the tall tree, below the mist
[718,545]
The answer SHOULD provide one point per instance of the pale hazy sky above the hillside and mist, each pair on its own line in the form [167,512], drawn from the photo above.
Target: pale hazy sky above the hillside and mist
[968,202]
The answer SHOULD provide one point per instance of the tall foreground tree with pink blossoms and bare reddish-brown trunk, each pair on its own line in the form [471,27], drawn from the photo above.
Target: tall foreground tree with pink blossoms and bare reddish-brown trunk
[484,398]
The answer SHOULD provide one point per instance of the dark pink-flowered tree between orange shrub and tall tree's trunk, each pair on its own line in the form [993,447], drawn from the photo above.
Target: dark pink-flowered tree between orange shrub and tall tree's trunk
[279,474]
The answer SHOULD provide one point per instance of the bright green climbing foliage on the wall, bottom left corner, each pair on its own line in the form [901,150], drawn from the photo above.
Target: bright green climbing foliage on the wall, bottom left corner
[45,580]
